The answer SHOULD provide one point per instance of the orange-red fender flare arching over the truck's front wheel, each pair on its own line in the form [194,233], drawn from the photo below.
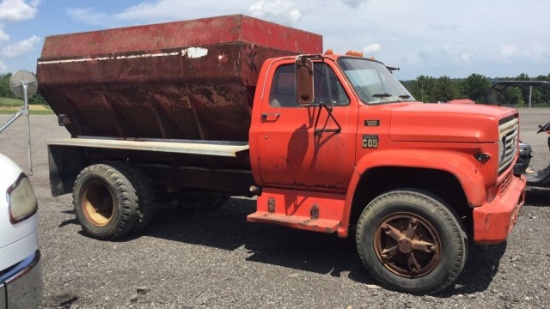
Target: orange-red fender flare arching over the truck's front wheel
[462,165]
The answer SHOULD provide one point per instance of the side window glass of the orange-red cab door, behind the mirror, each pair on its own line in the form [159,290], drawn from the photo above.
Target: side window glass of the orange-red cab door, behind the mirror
[328,88]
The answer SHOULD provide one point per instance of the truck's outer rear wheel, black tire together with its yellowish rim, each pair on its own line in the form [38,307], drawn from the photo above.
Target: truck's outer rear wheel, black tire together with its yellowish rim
[105,201]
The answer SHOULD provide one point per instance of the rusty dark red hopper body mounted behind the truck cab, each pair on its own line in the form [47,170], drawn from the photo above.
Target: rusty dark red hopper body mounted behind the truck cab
[180,80]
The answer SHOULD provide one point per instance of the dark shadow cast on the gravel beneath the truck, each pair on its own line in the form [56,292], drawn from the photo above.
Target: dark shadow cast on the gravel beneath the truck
[227,229]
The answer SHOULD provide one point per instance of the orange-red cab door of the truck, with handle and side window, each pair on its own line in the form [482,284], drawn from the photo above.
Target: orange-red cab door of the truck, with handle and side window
[307,147]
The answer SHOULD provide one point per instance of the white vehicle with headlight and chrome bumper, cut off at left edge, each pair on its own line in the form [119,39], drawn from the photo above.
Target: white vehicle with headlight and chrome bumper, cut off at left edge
[20,260]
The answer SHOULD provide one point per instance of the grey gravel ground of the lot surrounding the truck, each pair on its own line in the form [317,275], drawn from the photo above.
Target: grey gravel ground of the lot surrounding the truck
[218,260]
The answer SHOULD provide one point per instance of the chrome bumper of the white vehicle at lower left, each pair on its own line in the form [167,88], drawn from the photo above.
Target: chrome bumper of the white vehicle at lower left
[21,286]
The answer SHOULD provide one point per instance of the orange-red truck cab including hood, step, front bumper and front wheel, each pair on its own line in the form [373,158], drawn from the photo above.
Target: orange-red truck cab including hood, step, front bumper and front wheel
[344,144]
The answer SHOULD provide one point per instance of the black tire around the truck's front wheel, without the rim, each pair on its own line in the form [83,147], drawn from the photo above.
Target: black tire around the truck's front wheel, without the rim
[449,230]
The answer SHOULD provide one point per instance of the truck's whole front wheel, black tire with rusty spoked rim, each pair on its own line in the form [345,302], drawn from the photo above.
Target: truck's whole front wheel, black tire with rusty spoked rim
[412,242]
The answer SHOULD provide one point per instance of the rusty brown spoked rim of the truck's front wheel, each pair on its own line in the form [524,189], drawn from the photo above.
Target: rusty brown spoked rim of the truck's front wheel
[407,245]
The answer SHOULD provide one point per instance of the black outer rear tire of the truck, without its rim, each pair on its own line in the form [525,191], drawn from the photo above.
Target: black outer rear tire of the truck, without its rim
[124,209]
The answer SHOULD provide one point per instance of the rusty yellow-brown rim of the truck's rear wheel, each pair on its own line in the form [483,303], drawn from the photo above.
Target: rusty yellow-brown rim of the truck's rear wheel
[98,203]
